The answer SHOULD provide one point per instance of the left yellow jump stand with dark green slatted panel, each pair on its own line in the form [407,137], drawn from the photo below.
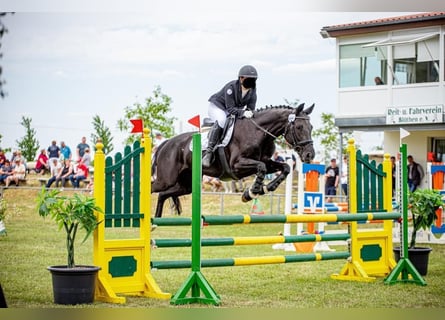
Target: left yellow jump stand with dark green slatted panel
[122,189]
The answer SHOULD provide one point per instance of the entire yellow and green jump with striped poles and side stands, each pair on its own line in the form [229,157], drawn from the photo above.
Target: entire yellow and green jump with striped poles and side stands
[122,187]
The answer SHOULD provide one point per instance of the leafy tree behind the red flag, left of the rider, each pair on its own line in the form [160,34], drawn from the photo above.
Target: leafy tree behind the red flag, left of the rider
[153,114]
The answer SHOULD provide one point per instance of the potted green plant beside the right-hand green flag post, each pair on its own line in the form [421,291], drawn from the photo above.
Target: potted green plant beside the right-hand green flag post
[423,204]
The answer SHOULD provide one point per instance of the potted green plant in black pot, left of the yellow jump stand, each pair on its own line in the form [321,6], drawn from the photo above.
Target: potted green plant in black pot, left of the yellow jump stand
[72,283]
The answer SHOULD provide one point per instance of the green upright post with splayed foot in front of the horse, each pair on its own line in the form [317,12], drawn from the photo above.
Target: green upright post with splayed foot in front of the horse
[196,283]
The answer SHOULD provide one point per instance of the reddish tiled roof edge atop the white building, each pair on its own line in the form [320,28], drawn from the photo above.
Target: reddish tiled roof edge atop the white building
[417,20]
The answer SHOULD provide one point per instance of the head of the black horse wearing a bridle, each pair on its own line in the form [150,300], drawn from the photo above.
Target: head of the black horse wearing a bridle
[298,133]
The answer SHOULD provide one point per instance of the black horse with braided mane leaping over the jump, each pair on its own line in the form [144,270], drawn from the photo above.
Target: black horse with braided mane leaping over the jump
[248,153]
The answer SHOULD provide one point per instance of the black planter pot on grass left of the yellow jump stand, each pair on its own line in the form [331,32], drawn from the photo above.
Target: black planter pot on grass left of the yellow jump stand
[73,285]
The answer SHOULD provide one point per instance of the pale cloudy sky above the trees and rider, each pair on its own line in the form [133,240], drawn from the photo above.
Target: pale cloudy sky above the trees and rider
[62,67]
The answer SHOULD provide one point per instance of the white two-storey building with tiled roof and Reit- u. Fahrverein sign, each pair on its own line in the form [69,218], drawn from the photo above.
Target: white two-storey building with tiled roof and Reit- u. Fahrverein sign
[408,54]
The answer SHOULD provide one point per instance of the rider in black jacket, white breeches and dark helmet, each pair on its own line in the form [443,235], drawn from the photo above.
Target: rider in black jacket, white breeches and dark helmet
[231,99]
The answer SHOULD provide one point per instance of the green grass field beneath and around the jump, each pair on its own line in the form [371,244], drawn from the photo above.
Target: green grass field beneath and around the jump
[33,243]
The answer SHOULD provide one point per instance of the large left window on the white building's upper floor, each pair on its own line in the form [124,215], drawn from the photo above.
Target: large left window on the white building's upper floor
[360,65]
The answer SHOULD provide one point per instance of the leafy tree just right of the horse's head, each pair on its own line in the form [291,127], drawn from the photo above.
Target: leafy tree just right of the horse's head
[329,135]
